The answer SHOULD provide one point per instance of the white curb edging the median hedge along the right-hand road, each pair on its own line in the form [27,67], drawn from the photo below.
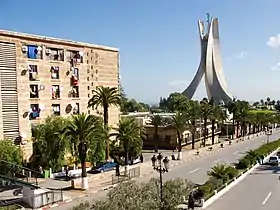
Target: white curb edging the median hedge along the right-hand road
[232,184]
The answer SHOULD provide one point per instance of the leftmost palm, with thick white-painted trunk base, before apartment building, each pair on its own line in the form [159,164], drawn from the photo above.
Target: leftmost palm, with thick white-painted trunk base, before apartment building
[83,129]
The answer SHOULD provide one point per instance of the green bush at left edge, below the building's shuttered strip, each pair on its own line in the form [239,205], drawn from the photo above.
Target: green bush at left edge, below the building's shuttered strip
[10,152]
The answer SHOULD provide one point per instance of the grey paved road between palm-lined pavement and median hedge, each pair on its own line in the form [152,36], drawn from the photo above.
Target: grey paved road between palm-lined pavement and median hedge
[196,170]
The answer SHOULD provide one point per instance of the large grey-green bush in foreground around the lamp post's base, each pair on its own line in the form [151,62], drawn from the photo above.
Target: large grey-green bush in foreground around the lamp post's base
[134,196]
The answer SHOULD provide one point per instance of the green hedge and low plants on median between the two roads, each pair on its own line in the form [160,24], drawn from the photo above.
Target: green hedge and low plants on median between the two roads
[228,172]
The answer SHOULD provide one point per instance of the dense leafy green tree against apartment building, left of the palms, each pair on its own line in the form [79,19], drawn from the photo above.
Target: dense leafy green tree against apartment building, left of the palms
[50,146]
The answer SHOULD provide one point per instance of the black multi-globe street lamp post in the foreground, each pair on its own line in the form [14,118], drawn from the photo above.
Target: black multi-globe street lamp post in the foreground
[160,165]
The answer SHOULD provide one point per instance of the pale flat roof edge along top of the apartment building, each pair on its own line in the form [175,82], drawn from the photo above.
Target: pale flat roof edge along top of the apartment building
[52,39]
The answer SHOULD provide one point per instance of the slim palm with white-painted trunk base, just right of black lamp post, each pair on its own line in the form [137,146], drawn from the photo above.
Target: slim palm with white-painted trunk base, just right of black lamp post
[179,122]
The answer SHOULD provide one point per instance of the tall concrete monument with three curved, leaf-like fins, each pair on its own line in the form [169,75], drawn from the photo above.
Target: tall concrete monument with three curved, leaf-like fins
[210,64]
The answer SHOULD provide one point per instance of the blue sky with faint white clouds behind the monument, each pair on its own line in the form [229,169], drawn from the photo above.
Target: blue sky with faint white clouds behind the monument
[159,42]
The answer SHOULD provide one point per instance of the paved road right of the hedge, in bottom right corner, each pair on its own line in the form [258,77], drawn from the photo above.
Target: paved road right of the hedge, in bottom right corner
[258,191]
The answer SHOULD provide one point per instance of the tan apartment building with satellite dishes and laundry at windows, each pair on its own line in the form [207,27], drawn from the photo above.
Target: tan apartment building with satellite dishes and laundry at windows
[42,76]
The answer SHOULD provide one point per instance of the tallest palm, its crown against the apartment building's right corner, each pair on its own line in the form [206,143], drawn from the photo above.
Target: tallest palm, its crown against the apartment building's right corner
[105,97]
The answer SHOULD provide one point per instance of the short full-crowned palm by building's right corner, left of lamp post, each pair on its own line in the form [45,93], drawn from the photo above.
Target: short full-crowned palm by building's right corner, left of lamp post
[129,134]
